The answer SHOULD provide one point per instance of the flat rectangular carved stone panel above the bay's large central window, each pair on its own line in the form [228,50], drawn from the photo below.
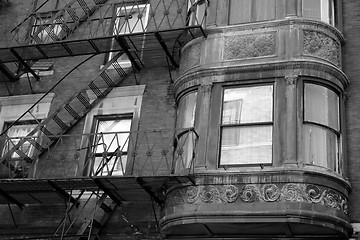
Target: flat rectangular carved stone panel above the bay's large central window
[249,46]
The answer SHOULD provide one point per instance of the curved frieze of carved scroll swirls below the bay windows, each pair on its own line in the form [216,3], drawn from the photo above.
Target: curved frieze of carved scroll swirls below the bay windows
[290,192]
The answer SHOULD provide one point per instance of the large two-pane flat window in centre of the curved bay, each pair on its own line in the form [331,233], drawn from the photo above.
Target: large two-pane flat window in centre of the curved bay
[247,125]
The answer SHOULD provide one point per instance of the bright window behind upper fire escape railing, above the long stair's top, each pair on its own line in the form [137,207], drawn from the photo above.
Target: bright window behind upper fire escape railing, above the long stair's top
[129,19]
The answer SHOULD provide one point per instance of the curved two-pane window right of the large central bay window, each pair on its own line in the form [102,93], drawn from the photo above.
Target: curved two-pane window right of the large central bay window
[321,127]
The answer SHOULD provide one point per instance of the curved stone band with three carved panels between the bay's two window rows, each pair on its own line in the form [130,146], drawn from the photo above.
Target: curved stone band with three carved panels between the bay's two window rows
[290,40]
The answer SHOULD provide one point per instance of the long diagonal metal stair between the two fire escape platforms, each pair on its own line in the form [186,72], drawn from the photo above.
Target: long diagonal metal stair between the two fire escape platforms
[68,114]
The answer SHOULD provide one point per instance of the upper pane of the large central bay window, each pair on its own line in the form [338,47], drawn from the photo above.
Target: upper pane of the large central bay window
[248,105]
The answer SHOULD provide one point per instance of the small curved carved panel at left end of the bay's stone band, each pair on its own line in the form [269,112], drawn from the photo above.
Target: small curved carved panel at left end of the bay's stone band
[190,57]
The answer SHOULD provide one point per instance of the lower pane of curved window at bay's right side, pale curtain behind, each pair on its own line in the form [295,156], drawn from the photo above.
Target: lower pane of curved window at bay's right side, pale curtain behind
[321,147]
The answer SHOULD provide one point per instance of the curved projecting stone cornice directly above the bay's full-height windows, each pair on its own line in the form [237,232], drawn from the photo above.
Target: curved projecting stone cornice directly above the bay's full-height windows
[215,73]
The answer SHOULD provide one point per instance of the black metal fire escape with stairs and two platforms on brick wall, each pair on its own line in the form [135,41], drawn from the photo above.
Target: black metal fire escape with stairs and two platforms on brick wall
[86,28]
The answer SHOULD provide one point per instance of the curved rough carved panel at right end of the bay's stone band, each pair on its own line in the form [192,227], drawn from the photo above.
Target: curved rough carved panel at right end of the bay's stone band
[322,46]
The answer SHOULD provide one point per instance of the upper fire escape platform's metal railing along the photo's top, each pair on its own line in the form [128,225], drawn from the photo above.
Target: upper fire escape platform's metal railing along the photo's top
[102,20]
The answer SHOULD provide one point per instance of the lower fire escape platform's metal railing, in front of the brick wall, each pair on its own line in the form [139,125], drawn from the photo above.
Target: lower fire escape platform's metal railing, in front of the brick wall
[140,153]
